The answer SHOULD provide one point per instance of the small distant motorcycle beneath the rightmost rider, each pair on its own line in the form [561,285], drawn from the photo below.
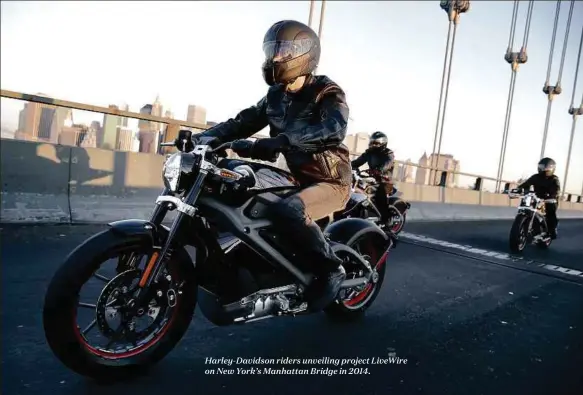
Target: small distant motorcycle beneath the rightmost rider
[530,225]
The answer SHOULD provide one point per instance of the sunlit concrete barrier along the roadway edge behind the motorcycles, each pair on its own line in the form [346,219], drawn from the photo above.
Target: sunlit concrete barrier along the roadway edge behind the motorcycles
[59,184]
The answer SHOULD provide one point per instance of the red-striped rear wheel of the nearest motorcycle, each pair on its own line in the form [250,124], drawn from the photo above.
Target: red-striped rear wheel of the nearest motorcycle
[352,303]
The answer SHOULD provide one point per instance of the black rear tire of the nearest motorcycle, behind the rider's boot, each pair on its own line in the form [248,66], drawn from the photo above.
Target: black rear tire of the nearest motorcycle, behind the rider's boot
[354,308]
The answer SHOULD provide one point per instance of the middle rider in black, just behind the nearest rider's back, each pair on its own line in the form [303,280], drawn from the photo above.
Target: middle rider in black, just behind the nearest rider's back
[381,163]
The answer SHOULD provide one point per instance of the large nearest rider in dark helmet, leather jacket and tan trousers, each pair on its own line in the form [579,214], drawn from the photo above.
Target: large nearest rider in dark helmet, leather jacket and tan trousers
[307,115]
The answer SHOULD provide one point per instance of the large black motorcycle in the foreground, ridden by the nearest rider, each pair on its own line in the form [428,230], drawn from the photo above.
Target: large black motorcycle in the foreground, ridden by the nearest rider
[243,270]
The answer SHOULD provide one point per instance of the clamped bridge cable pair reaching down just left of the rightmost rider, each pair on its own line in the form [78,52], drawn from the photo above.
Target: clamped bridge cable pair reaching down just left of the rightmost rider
[515,59]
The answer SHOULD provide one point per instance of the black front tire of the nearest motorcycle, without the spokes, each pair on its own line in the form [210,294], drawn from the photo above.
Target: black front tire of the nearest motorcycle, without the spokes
[63,334]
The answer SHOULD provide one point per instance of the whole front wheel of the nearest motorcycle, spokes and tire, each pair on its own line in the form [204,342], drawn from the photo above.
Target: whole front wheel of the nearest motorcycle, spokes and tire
[95,324]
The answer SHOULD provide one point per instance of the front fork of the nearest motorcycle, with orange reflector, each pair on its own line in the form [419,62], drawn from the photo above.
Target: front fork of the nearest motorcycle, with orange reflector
[157,261]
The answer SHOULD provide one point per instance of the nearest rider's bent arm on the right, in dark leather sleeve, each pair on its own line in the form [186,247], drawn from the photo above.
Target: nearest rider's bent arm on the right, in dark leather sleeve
[331,130]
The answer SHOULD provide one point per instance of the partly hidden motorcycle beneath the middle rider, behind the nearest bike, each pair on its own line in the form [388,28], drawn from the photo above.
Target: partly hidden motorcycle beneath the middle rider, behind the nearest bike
[362,205]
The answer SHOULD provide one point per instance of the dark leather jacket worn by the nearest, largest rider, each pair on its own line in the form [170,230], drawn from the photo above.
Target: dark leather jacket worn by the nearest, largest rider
[314,120]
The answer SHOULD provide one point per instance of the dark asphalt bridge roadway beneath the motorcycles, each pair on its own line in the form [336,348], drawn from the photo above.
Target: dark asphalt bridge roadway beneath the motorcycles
[467,323]
